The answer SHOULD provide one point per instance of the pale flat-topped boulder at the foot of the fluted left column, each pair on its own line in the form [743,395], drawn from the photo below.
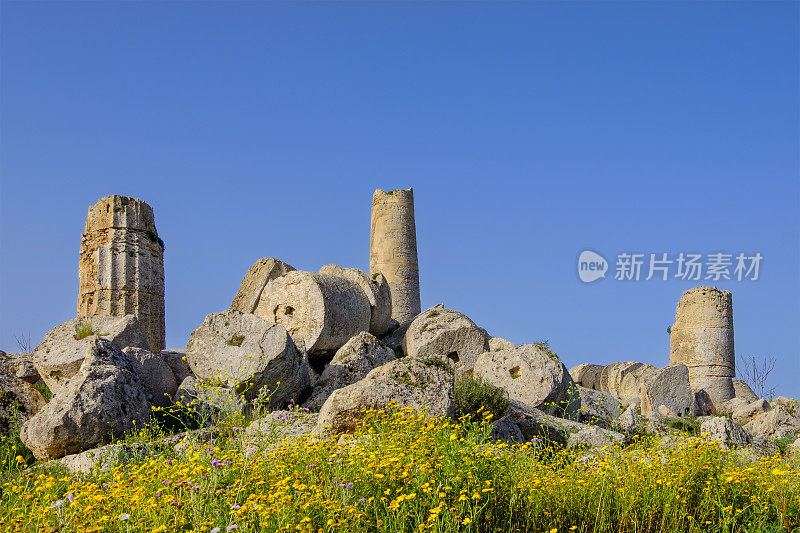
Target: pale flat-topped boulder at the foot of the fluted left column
[59,356]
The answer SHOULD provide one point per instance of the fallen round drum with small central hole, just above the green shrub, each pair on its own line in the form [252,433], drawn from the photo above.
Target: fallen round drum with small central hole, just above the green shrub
[533,375]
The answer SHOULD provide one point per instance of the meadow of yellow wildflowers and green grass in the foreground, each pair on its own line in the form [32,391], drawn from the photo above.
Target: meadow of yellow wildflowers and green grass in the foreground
[402,471]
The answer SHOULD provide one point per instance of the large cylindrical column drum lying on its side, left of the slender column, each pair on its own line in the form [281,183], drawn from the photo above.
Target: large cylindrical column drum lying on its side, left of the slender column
[323,311]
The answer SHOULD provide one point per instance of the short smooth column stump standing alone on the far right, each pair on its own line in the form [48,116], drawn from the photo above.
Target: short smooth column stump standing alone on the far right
[702,339]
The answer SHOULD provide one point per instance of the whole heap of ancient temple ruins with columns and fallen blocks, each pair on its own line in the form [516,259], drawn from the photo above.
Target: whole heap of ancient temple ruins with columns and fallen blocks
[342,341]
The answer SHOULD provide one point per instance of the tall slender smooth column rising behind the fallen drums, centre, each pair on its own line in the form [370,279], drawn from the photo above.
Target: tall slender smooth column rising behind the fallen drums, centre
[393,250]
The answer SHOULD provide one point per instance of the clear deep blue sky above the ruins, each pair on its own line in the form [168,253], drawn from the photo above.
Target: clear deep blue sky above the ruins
[529,131]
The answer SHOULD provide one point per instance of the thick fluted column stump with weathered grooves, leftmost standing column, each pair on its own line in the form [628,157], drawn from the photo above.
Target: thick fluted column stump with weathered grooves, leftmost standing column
[121,265]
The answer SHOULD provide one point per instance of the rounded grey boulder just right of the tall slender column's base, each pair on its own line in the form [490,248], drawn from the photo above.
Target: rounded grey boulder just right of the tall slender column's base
[440,331]
